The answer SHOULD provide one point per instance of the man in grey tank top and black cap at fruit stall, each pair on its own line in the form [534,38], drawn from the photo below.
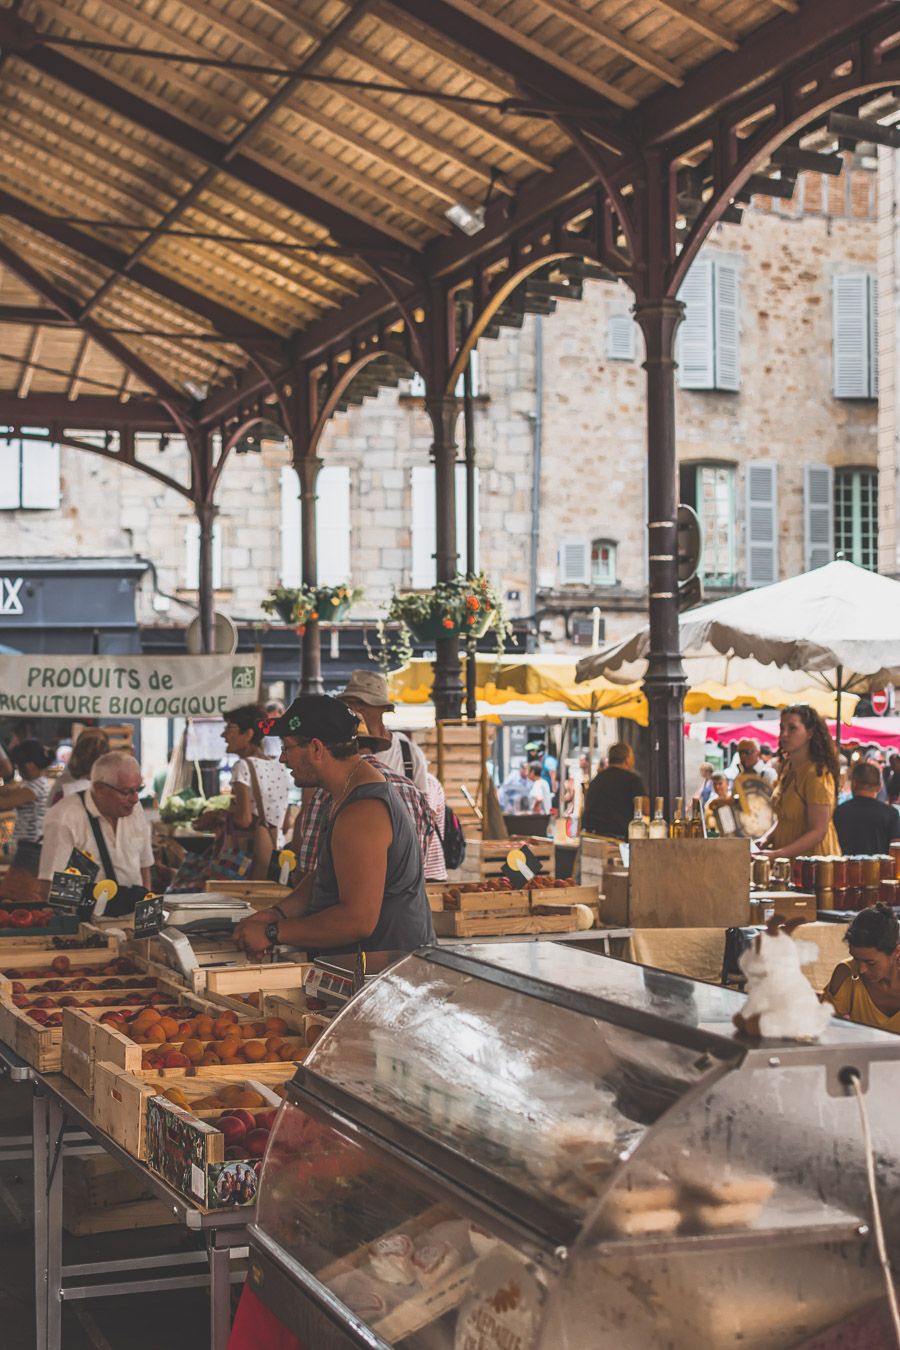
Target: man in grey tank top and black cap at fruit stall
[368,892]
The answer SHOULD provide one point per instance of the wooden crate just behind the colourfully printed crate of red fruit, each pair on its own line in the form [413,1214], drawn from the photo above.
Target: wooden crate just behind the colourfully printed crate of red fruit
[121,1098]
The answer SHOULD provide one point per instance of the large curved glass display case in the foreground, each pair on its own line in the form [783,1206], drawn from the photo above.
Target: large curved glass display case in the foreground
[522,1147]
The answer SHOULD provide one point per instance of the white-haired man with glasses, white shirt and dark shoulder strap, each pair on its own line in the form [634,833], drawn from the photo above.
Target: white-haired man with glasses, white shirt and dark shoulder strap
[105,821]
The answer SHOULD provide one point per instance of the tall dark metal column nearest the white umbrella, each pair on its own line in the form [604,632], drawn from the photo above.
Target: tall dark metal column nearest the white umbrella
[666,682]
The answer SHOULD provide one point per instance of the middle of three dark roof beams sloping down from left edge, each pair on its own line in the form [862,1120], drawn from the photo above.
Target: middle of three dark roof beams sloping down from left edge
[144,275]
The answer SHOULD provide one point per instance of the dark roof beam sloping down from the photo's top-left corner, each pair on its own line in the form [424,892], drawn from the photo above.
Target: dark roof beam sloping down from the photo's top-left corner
[25,41]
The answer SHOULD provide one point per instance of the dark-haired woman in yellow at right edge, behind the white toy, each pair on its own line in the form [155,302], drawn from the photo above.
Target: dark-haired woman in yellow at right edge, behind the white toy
[867,989]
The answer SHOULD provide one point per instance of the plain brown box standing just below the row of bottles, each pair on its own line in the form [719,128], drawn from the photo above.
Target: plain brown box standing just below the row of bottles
[682,884]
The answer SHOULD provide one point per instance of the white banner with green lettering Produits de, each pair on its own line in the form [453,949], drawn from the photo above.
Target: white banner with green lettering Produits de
[128,686]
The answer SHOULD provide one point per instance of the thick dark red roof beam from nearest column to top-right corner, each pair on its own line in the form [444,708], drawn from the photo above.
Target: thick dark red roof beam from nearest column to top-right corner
[770,51]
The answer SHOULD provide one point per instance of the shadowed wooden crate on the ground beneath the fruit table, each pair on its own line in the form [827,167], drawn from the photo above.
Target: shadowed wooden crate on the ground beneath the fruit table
[102,1197]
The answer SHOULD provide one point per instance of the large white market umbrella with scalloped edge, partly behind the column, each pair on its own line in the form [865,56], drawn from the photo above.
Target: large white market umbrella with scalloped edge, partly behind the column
[836,628]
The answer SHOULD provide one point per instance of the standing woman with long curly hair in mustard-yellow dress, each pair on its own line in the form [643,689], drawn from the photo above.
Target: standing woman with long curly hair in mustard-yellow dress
[805,796]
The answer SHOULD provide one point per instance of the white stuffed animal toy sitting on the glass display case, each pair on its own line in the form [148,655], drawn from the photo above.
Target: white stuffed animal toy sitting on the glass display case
[781,1000]
